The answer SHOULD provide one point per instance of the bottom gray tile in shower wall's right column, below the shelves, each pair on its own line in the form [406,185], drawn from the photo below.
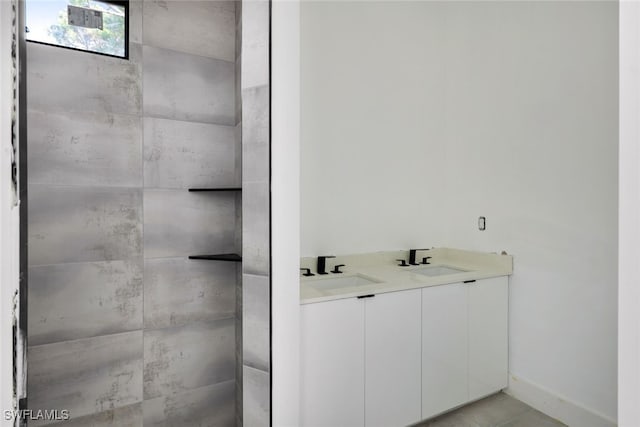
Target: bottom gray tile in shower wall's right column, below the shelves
[211,406]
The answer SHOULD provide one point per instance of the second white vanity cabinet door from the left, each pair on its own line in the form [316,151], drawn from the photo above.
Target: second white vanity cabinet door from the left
[392,359]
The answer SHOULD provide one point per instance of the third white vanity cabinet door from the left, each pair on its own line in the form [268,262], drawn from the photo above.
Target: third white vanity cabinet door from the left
[444,348]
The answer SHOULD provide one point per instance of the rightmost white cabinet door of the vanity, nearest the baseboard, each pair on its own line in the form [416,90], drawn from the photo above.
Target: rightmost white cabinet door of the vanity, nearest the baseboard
[488,335]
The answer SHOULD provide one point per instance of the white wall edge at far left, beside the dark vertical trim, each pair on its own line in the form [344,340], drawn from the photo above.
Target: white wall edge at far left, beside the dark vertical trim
[8,219]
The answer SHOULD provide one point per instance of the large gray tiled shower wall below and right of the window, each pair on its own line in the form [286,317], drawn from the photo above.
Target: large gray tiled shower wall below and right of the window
[124,330]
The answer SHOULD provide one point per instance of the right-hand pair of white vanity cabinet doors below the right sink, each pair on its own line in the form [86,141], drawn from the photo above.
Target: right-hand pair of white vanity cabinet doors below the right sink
[464,343]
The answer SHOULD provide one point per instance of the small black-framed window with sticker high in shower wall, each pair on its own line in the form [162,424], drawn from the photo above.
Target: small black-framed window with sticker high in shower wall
[88,25]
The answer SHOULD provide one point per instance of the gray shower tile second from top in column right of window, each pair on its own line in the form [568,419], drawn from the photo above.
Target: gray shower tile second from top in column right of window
[188,87]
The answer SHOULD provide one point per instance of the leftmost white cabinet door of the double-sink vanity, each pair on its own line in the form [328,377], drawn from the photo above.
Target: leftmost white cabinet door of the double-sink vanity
[332,364]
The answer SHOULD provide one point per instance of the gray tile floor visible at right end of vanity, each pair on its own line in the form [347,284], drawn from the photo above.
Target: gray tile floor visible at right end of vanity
[498,410]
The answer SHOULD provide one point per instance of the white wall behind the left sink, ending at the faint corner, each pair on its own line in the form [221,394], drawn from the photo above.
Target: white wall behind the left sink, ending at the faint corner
[372,128]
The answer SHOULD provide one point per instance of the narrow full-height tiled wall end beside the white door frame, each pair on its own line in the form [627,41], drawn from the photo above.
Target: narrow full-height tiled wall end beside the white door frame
[256,357]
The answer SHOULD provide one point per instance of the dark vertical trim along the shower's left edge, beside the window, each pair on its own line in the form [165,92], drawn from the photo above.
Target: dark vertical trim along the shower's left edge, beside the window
[22,194]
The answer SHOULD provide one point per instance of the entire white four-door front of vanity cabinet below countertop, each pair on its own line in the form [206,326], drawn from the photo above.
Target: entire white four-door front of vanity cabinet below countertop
[396,358]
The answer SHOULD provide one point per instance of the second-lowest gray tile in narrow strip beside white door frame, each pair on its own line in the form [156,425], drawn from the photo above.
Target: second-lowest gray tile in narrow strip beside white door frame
[255,321]
